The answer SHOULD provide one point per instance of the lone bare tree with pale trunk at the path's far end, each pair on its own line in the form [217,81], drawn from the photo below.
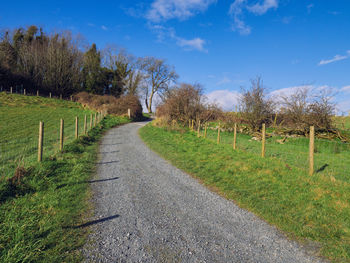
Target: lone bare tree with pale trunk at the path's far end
[159,76]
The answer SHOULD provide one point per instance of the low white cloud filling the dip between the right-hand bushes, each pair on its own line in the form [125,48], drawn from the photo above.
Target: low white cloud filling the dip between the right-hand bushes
[224,98]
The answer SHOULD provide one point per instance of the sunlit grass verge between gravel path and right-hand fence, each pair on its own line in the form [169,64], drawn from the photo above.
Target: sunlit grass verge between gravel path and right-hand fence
[307,208]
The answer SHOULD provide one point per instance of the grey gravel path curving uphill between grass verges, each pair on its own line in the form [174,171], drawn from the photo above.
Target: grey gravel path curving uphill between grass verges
[146,210]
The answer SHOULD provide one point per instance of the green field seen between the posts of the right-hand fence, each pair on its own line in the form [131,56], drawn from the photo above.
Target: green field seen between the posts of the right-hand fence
[332,155]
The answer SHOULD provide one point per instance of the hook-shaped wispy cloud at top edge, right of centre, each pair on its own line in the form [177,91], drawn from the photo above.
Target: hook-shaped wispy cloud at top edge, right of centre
[238,7]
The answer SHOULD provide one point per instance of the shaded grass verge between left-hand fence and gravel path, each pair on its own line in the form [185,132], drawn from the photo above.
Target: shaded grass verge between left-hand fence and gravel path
[43,207]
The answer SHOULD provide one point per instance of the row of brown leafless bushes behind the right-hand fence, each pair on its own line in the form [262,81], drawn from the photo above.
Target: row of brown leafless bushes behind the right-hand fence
[294,112]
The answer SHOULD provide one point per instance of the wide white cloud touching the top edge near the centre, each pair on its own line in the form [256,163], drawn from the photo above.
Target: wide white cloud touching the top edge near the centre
[181,9]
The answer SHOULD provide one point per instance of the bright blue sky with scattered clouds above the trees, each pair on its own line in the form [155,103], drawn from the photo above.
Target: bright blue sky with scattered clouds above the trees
[221,44]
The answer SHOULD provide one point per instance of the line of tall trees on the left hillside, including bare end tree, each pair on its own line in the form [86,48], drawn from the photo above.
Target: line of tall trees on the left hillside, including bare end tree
[59,63]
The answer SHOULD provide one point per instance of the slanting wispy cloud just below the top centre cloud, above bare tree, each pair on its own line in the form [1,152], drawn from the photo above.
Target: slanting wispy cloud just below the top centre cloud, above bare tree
[187,44]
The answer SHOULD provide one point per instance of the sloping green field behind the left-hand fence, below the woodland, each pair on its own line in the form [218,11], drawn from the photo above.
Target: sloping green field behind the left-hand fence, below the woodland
[20,116]
